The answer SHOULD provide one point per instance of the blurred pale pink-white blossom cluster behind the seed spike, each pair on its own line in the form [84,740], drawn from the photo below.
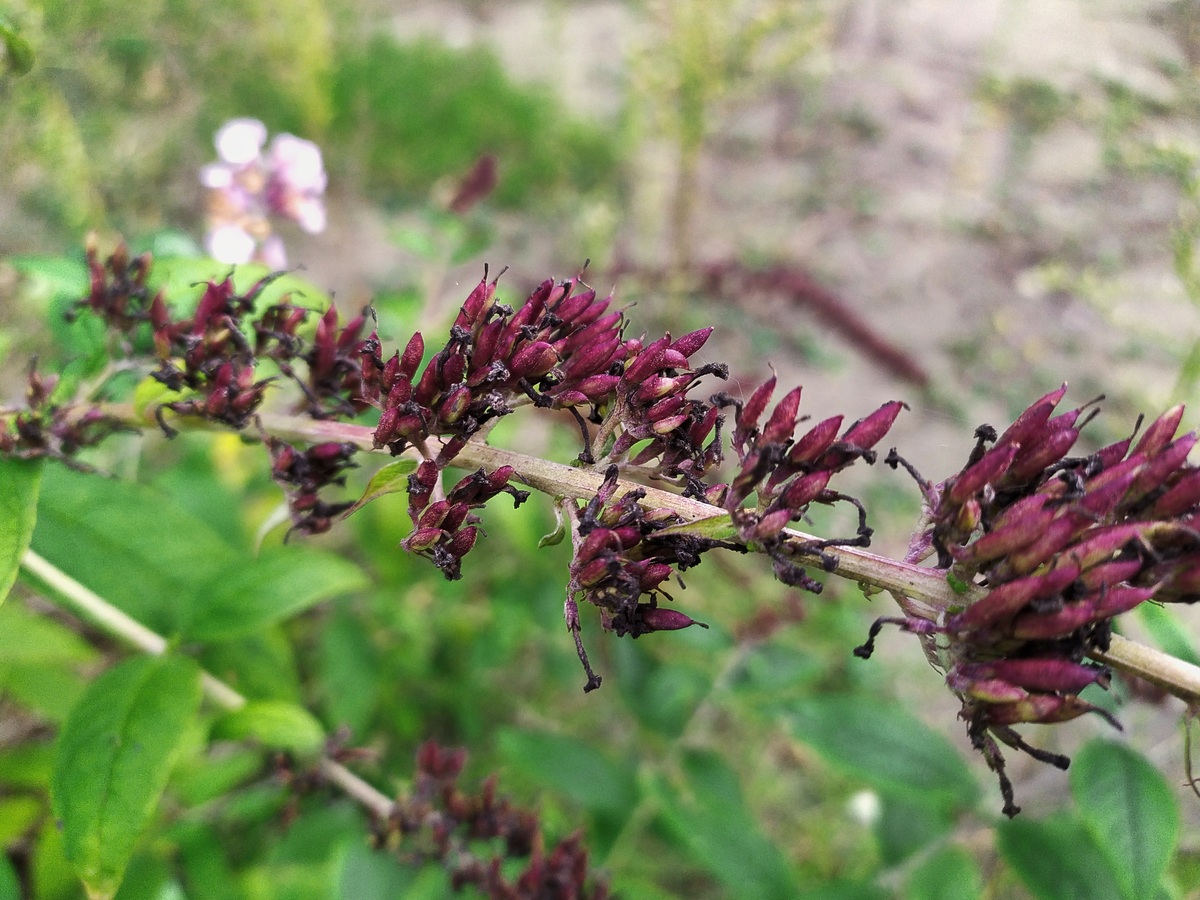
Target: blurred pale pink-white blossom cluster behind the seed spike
[248,188]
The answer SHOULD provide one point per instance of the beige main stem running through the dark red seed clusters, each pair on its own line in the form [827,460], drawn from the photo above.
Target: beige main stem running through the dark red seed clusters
[927,586]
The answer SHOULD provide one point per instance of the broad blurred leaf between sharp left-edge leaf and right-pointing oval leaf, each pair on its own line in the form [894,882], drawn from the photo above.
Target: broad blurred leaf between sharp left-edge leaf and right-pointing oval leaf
[135,547]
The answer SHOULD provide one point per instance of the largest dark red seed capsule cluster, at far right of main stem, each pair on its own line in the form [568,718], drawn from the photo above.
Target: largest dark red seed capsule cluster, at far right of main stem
[1064,545]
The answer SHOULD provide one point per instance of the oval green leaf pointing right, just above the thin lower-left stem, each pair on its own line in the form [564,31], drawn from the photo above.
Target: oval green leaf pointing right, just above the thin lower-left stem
[272,589]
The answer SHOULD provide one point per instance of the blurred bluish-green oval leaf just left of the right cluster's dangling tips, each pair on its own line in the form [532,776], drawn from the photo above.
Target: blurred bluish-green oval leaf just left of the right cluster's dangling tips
[877,741]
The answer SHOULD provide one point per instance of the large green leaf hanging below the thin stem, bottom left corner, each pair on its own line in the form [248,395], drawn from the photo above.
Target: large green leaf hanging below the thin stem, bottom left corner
[116,753]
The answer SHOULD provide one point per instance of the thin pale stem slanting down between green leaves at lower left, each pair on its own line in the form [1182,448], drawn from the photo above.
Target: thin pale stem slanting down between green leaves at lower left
[104,615]
